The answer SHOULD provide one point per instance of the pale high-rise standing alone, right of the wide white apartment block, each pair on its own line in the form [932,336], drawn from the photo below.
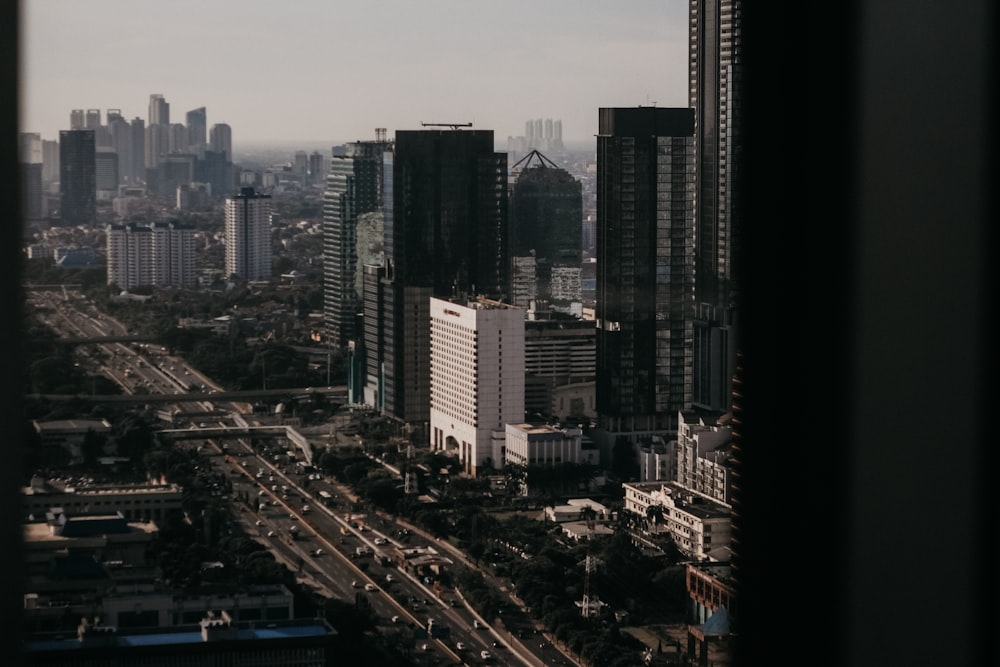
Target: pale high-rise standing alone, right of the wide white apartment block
[248,235]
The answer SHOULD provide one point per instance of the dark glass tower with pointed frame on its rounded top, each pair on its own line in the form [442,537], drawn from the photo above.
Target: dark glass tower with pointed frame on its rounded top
[546,220]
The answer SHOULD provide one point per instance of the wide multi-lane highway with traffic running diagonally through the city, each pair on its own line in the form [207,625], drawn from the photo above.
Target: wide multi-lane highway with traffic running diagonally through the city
[304,518]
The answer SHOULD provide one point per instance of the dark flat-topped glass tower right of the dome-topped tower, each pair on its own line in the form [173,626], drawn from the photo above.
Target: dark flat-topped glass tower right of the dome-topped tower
[645,269]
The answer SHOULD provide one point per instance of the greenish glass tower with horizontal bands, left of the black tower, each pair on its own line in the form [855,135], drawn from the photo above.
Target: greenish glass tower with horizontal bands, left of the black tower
[353,188]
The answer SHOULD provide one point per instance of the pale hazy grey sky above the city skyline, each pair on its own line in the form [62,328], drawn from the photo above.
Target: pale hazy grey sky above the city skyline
[332,71]
